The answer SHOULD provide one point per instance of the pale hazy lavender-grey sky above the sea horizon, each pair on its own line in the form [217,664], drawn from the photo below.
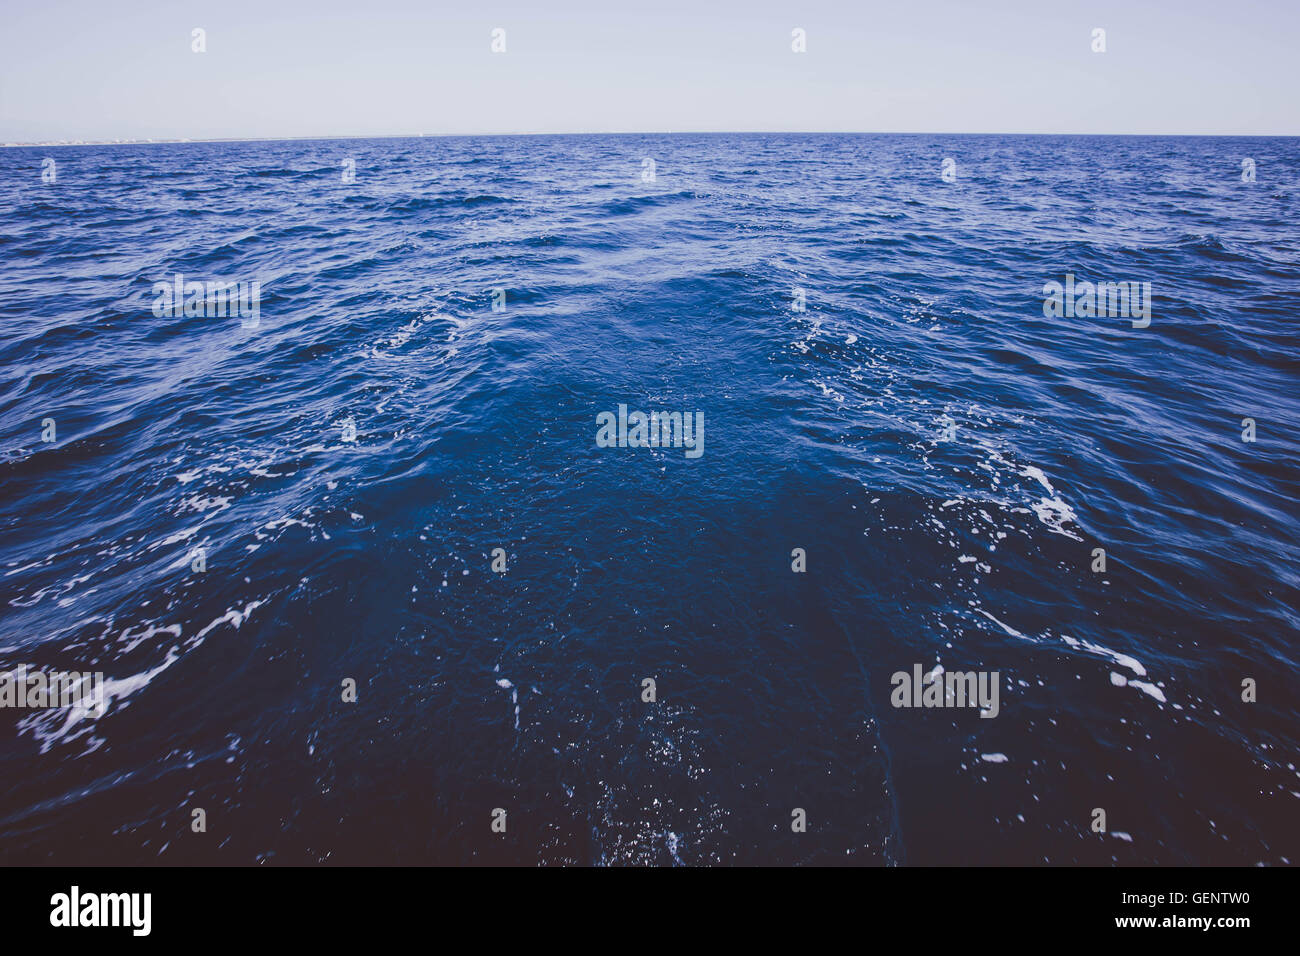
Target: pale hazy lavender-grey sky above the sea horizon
[81,70]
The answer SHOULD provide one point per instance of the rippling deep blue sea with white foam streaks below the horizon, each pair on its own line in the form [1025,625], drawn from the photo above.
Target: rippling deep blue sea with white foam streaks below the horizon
[370,559]
